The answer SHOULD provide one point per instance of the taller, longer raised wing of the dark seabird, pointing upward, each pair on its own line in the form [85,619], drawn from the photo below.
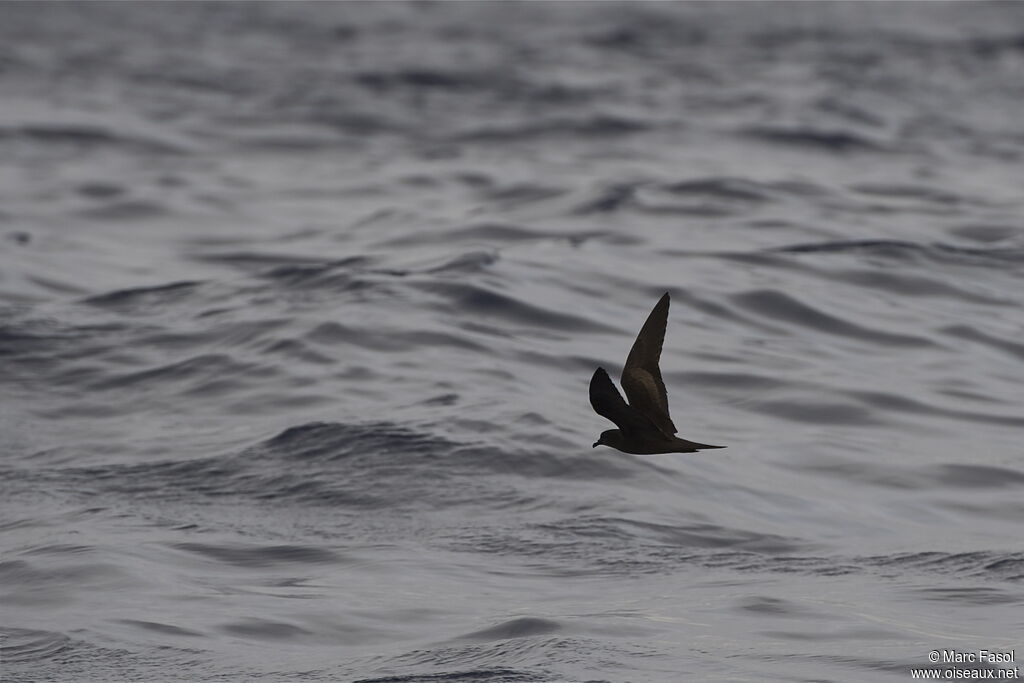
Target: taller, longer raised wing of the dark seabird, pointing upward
[642,375]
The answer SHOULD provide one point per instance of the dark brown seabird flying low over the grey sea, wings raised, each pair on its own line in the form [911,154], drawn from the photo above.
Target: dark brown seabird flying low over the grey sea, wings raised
[645,425]
